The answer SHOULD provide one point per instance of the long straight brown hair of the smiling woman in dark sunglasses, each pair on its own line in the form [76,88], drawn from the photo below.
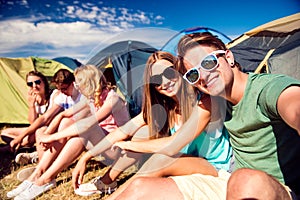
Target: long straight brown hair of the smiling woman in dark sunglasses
[158,122]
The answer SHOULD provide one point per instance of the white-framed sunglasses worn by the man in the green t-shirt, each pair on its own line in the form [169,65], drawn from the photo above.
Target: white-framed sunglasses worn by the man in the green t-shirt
[209,63]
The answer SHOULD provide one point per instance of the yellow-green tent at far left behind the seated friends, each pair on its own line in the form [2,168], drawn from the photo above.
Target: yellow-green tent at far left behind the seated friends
[13,93]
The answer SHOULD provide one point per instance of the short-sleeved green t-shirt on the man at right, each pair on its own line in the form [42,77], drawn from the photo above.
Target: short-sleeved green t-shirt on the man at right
[260,138]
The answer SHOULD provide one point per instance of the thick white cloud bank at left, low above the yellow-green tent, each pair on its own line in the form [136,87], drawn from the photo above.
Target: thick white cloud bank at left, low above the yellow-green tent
[64,38]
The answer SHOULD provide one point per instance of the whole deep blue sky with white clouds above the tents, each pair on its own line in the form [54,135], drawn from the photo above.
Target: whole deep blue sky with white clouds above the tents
[77,29]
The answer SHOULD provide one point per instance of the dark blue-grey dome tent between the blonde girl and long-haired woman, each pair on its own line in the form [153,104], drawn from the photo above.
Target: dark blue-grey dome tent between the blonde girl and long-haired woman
[125,62]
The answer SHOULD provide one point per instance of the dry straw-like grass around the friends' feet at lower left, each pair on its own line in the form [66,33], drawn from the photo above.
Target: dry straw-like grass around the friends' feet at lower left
[64,189]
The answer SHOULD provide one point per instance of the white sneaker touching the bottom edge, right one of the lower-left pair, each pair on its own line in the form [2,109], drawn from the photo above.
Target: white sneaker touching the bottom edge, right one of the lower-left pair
[34,191]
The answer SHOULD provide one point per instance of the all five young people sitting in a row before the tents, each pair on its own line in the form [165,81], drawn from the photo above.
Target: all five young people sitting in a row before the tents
[207,130]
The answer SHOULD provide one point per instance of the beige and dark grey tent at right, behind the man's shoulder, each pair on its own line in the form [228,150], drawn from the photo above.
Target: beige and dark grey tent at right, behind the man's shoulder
[273,47]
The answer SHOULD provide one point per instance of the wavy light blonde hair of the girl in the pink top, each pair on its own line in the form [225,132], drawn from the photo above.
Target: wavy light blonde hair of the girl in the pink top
[91,81]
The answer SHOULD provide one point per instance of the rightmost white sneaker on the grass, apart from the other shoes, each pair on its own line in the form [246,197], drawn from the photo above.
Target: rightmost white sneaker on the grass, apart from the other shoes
[96,186]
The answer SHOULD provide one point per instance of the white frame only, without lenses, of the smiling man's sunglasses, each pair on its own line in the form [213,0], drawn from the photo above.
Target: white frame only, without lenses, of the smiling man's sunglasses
[197,67]
